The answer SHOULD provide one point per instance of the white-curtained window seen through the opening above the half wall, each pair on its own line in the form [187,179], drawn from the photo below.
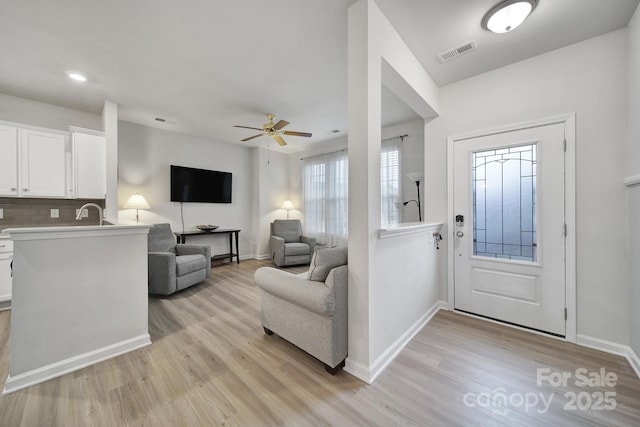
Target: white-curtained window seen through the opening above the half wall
[390,182]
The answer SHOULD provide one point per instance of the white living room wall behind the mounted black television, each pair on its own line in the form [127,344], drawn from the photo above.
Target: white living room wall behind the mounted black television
[144,158]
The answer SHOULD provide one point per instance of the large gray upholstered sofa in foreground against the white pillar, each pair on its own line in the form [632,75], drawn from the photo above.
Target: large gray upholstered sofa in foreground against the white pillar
[310,309]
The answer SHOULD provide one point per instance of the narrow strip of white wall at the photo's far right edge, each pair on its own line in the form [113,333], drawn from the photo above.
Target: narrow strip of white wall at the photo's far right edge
[633,169]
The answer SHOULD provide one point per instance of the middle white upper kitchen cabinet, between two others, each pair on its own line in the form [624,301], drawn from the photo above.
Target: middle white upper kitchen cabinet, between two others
[42,164]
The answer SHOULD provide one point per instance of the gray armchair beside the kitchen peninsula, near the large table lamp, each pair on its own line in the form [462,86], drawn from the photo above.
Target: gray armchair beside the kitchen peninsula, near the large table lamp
[174,267]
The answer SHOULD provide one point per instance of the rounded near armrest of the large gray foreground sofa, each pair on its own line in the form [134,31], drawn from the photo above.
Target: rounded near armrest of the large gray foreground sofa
[314,296]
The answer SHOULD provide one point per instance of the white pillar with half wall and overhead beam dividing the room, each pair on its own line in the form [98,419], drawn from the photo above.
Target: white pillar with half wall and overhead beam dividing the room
[390,288]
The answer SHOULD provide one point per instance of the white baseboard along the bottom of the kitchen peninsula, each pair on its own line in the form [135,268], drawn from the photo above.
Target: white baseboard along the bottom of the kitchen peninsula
[36,376]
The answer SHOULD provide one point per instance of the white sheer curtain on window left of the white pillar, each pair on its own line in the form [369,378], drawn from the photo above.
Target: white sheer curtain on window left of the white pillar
[325,192]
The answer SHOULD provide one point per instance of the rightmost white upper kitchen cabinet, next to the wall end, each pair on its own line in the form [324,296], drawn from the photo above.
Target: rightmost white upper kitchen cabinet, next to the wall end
[90,160]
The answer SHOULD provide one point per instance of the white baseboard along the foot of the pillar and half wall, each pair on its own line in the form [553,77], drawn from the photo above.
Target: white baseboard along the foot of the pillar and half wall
[370,373]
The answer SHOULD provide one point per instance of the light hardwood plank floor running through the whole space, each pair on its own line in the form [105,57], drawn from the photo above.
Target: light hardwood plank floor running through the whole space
[211,364]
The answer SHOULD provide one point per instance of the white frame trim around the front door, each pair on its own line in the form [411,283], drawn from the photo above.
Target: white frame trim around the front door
[569,122]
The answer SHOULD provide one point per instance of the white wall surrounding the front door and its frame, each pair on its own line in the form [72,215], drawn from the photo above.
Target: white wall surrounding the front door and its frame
[590,79]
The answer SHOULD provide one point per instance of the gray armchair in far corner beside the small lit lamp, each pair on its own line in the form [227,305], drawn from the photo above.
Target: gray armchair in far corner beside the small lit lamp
[287,244]
